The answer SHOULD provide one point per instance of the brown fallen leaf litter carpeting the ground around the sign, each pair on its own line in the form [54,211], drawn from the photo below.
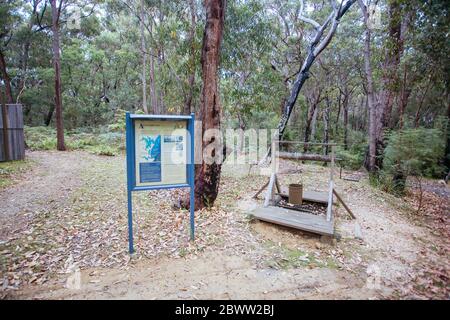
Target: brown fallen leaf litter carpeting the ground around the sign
[86,228]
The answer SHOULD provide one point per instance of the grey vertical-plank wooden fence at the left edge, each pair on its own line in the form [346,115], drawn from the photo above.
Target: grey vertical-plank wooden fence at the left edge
[12,141]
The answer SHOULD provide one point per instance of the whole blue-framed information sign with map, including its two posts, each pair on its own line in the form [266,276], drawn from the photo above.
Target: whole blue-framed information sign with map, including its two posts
[160,155]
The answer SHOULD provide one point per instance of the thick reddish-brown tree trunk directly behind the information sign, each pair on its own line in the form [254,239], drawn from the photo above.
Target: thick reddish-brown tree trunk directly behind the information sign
[207,176]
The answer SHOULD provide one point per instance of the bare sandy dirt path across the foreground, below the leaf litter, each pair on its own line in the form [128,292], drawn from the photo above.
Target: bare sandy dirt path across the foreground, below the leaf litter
[211,276]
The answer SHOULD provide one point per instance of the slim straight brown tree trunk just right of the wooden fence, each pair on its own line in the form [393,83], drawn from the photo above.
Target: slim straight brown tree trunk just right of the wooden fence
[56,11]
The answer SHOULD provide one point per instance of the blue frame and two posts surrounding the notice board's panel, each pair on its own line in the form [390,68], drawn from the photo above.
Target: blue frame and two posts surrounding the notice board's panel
[131,166]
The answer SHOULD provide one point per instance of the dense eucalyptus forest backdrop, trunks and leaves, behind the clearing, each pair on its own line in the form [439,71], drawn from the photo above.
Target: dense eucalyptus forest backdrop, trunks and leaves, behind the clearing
[384,75]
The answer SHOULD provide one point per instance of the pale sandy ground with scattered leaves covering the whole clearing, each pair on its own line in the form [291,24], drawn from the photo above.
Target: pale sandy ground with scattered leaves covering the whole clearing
[234,258]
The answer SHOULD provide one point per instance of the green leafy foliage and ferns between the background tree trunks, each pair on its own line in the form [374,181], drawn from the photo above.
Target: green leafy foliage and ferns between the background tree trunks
[262,51]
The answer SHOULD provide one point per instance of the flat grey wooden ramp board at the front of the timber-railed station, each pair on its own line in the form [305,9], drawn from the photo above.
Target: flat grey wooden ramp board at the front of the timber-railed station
[294,219]
